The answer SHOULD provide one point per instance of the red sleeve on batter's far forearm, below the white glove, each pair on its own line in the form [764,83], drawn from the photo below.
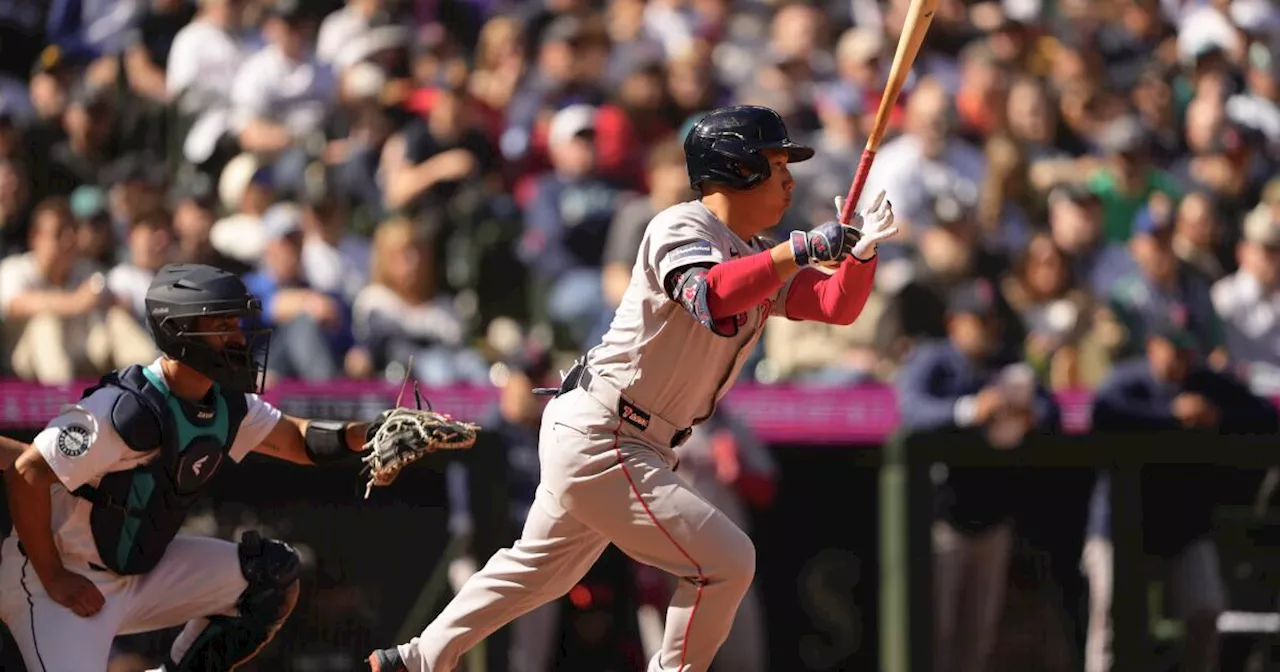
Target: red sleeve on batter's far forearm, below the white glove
[836,299]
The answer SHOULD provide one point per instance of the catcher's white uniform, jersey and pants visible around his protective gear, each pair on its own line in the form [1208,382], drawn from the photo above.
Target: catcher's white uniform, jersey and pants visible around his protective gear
[198,578]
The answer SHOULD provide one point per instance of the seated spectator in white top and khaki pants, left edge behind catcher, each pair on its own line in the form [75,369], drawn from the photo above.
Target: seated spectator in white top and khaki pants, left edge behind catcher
[60,321]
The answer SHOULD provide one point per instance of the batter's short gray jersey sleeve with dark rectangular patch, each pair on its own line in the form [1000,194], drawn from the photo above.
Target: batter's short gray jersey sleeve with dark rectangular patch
[684,236]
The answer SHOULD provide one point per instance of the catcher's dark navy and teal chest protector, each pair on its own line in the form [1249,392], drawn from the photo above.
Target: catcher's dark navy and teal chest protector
[138,513]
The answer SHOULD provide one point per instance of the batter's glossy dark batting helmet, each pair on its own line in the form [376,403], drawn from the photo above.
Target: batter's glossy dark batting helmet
[725,147]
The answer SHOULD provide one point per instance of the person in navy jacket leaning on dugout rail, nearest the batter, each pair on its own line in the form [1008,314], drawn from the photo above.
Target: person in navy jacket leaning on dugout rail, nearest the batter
[962,383]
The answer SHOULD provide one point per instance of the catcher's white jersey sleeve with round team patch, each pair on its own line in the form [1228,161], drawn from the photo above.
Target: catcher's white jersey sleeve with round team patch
[83,445]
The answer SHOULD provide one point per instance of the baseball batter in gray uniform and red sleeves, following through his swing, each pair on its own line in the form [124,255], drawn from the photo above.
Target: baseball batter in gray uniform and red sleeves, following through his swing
[701,291]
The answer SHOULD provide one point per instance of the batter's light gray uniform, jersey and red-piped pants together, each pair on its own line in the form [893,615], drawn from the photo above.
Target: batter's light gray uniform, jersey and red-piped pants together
[607,467]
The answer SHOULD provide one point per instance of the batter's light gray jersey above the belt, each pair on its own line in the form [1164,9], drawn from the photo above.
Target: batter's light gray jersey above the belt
[656,353]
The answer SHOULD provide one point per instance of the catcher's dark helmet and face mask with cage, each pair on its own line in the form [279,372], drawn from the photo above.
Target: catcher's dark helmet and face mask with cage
[207,319]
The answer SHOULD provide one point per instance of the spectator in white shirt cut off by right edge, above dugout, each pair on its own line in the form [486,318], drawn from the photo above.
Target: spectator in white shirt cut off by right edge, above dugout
[1250,304]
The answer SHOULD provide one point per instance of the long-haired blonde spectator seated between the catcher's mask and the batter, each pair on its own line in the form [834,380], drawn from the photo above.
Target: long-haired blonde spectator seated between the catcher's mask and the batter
[401,314]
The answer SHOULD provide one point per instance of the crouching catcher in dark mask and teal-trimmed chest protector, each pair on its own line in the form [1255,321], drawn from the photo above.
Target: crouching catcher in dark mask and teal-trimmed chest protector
[100,495]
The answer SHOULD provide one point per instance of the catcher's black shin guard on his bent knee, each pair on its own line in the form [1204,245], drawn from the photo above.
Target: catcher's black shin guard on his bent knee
[272,570]
